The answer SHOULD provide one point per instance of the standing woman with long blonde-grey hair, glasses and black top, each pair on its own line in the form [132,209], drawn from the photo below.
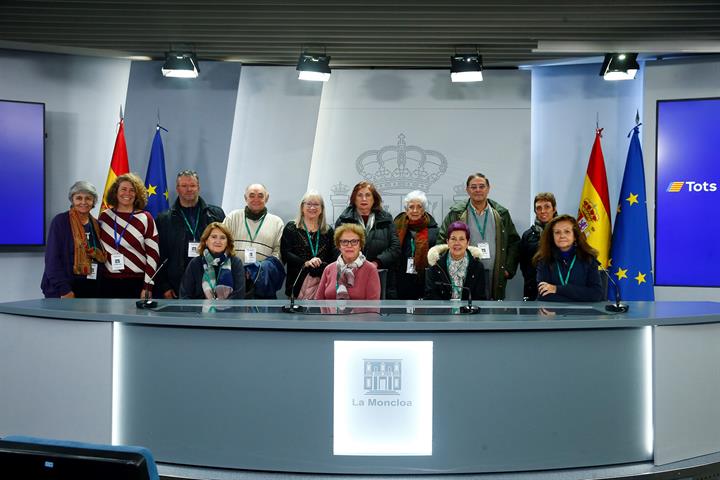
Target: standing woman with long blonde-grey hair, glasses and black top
[306,245]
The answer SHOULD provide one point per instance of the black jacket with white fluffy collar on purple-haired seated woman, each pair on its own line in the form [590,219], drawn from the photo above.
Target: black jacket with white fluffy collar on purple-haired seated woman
[437,278]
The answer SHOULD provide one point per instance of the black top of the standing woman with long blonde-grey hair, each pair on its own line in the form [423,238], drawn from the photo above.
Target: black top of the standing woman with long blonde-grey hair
[295,251]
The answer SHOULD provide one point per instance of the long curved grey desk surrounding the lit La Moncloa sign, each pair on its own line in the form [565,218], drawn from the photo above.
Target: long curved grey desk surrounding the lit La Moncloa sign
[252,388]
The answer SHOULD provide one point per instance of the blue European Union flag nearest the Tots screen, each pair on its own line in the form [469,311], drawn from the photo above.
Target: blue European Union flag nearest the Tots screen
[630,263]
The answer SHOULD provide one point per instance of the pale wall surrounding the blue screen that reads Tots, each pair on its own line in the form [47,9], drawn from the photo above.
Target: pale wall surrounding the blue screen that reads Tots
[665,80]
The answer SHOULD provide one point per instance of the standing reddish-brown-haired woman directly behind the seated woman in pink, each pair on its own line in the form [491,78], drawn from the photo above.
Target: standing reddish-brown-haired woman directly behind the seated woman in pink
[381,243]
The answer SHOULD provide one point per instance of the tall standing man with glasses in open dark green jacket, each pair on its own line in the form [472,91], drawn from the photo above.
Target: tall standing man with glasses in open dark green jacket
[491,230]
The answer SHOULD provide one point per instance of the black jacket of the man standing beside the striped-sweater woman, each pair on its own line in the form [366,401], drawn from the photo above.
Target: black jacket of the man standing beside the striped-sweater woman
[174,238]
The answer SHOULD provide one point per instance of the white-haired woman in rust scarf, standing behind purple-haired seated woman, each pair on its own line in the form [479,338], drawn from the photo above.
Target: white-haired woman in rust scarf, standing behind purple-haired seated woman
[417,231]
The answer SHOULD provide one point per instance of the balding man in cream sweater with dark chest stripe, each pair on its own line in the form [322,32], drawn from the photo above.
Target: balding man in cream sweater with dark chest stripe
[257,235]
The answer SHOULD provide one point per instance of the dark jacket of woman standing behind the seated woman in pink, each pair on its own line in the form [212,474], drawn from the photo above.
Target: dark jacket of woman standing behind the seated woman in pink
[381,243]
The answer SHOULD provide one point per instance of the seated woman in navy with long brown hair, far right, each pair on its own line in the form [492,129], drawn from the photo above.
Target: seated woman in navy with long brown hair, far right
[567,267]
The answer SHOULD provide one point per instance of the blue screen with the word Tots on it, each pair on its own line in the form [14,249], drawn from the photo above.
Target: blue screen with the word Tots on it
[687,231]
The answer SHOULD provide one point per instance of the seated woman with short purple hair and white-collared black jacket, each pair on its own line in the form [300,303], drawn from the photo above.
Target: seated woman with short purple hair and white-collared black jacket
[455,269]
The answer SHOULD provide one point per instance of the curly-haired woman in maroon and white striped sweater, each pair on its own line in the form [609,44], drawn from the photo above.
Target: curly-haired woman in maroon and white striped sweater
[130,238]
